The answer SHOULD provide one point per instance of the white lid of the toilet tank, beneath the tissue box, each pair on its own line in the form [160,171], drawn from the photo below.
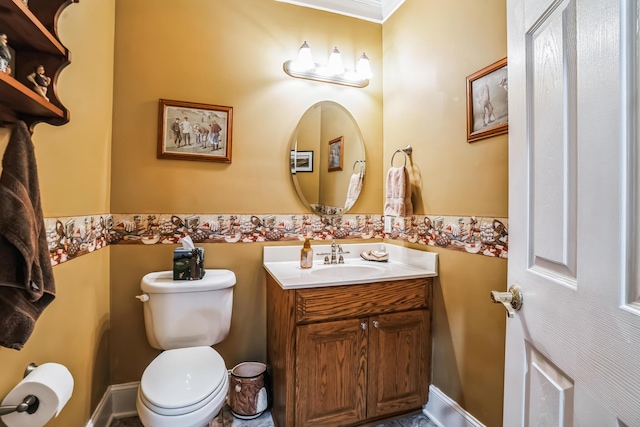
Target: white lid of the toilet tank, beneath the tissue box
[161,282]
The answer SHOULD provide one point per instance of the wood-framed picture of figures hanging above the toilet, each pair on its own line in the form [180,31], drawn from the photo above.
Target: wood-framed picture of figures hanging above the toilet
[192,131]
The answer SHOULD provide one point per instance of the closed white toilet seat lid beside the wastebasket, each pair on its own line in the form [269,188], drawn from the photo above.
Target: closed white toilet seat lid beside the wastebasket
[181,381]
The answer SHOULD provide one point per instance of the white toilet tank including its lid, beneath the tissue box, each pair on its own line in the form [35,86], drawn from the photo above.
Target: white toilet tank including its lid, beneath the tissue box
[187,313]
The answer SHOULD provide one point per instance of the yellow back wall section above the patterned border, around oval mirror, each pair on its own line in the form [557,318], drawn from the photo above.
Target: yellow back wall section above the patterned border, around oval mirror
[229,53]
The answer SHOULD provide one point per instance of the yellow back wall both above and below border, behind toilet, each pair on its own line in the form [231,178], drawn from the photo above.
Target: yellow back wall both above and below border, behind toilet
[230,53]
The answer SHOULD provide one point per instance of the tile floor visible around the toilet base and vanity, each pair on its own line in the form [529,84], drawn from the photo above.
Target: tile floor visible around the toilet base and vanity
[226,419]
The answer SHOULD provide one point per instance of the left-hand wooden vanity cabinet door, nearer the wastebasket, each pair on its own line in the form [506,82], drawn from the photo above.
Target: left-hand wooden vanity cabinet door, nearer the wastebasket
[331,373]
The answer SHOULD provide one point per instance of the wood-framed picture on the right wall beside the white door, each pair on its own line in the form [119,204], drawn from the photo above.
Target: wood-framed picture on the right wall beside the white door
[487,102]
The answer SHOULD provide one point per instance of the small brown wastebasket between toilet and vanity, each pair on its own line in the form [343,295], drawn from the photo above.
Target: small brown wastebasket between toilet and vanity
[248,390]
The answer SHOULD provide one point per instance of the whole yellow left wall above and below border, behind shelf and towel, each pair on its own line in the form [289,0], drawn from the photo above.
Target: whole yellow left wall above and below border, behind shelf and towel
[74,171]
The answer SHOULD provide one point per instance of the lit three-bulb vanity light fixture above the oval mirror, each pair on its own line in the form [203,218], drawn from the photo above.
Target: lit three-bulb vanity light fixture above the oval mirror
[305,68]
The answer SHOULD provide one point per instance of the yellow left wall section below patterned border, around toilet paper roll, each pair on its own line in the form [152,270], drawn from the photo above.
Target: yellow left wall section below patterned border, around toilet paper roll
[73,331]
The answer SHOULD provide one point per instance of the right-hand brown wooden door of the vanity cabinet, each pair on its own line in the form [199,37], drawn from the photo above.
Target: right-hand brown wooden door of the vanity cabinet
[399,360]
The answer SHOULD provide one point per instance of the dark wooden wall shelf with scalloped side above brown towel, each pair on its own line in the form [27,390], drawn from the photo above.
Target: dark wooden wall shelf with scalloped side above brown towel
[31,33]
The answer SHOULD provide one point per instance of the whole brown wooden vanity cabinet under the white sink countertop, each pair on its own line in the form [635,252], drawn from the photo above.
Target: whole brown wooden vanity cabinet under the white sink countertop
[348,355]
